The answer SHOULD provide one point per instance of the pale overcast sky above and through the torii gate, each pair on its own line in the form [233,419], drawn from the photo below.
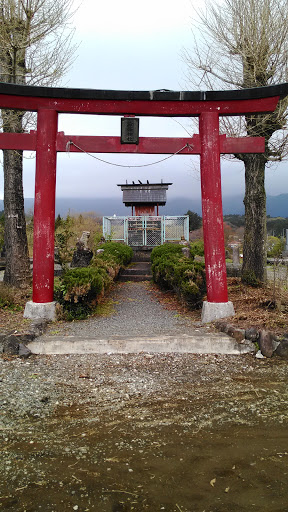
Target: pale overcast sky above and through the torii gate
[132,45]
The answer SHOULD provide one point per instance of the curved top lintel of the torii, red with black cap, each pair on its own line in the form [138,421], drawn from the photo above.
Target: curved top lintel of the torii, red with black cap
[143,103]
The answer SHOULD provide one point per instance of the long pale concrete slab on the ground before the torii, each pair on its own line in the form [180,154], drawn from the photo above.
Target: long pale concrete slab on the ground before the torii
[197,344]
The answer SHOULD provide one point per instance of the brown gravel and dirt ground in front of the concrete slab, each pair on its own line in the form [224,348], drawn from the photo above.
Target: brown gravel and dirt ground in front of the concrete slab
[144,432]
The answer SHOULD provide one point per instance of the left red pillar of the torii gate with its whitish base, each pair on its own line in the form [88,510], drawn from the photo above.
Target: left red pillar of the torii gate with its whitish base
[44,216]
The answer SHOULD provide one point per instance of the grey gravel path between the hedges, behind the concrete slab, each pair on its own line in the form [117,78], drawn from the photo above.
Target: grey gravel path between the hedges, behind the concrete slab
[136,312]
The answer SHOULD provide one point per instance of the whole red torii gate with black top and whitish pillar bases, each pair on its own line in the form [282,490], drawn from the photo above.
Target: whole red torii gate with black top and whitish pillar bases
[209,144]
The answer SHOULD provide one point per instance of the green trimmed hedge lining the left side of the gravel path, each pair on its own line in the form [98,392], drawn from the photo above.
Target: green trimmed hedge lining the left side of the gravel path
[80,288]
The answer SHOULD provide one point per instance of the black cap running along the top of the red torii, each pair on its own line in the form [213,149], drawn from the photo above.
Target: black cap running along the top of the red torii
[161,94]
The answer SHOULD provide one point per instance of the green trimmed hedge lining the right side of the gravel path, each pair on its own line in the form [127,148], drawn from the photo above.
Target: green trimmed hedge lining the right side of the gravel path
[173,271]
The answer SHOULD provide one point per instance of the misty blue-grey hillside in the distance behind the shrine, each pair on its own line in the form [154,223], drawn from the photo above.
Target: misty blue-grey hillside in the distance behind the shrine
[277,206]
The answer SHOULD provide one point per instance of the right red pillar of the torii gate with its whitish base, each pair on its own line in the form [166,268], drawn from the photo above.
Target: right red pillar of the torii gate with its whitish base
[212,213]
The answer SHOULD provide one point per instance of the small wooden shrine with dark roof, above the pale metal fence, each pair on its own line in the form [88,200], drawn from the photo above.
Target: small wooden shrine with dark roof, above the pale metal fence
[144,198]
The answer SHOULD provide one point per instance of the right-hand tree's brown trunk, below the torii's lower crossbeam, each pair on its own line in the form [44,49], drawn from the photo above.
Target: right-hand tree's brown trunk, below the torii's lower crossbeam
[254,250]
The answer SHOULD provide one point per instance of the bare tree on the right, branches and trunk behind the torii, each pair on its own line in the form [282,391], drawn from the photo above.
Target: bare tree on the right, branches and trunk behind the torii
[244,44]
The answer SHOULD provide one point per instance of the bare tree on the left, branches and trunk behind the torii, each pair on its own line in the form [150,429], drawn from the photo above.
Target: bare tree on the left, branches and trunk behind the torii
[36,49]
